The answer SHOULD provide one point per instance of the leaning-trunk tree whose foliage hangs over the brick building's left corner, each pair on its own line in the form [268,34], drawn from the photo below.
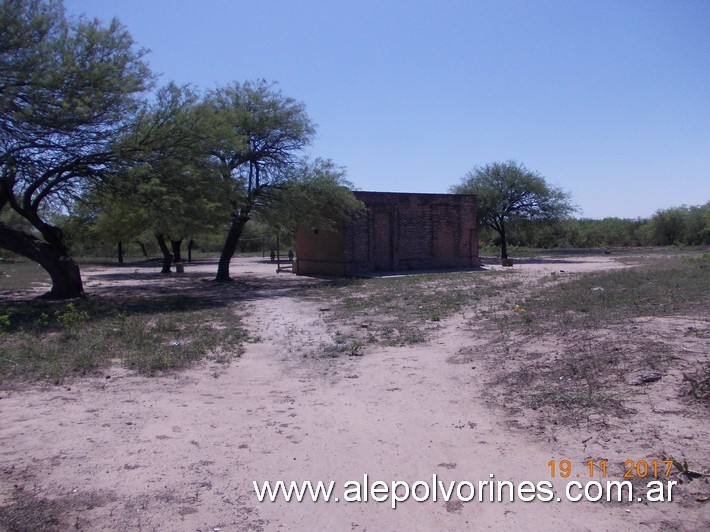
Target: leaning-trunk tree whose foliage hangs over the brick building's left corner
[257,137]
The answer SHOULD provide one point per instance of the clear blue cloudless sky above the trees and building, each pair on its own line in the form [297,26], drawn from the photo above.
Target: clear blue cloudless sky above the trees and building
[609,100]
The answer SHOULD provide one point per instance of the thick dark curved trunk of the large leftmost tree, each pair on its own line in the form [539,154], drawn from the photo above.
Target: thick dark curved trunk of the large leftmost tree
[64,272]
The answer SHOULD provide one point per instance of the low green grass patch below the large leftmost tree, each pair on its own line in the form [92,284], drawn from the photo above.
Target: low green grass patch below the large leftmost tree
[150,336]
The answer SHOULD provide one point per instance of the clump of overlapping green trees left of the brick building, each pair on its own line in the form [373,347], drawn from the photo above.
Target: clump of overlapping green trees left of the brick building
[76,128]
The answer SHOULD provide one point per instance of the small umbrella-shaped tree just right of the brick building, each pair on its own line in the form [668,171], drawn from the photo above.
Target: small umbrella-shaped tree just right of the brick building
[508,192]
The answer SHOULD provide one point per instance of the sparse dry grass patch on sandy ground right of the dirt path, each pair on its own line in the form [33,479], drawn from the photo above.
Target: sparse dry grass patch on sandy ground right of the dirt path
[615,363]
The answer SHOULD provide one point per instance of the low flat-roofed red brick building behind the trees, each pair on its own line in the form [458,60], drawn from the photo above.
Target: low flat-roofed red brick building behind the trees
[397,232]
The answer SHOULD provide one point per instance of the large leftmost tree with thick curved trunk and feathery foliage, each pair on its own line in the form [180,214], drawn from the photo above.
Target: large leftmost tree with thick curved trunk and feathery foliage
[68,90]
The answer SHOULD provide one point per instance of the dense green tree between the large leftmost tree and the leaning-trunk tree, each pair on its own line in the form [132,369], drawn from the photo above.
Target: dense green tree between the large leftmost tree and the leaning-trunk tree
[176,184]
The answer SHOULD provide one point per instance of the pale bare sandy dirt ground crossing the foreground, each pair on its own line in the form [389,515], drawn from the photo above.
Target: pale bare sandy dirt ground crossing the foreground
[117,451]
